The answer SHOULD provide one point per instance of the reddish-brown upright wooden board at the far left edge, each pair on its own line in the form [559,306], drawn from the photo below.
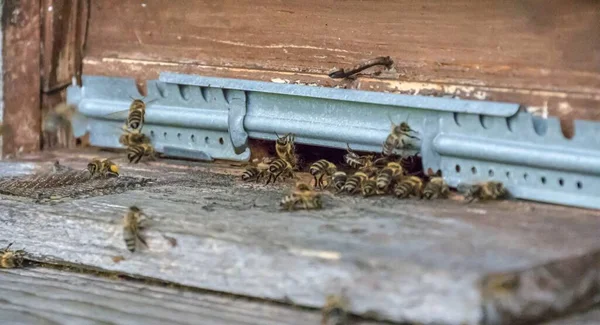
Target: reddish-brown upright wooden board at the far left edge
[21,76]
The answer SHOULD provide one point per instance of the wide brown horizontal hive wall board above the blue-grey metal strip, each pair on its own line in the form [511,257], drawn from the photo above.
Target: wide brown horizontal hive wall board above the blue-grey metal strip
[547,45]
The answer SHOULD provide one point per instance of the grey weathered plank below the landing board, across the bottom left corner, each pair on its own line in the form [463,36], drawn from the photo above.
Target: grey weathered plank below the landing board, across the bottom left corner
[48,296]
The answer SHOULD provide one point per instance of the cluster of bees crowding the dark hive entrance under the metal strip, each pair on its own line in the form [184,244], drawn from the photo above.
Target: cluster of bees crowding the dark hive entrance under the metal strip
[368,175]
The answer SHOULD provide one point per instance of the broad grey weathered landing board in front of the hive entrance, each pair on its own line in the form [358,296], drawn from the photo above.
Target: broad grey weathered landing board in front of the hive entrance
[398,260]
